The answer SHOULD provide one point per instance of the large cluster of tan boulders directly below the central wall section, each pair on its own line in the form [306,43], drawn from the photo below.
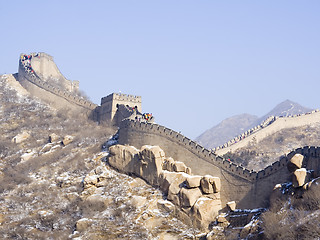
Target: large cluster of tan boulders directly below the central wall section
[197,196]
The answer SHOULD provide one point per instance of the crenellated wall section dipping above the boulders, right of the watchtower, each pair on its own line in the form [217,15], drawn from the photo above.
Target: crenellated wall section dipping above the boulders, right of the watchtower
[250,189]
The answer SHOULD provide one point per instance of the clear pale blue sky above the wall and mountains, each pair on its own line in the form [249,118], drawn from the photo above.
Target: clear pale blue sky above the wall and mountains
[194,63]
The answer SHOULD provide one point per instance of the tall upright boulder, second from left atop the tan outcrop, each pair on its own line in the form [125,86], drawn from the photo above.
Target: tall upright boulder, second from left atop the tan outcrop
[152,159]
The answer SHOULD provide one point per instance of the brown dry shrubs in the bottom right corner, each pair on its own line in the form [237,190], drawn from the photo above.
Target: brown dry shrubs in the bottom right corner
[294,216]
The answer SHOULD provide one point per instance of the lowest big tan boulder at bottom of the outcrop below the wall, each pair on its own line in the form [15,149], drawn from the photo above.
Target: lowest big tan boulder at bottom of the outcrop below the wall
[205,210]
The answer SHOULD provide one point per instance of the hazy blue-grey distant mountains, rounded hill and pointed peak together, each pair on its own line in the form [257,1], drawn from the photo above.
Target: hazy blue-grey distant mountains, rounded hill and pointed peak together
[233,126]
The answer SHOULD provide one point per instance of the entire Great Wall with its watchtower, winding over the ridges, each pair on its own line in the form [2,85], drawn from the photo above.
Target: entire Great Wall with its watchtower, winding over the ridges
[250,189]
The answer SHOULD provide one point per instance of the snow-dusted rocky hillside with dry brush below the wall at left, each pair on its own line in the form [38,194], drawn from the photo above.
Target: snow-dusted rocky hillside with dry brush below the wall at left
[55,183]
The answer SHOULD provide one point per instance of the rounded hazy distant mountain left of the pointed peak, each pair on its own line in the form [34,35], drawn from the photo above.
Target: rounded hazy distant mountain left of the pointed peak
[226,130]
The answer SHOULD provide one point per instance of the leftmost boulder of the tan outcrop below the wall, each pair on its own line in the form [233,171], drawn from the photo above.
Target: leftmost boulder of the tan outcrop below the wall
[124,158]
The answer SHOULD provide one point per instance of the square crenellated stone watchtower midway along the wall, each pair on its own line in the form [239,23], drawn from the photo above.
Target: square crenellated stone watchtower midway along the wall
[111,103]
